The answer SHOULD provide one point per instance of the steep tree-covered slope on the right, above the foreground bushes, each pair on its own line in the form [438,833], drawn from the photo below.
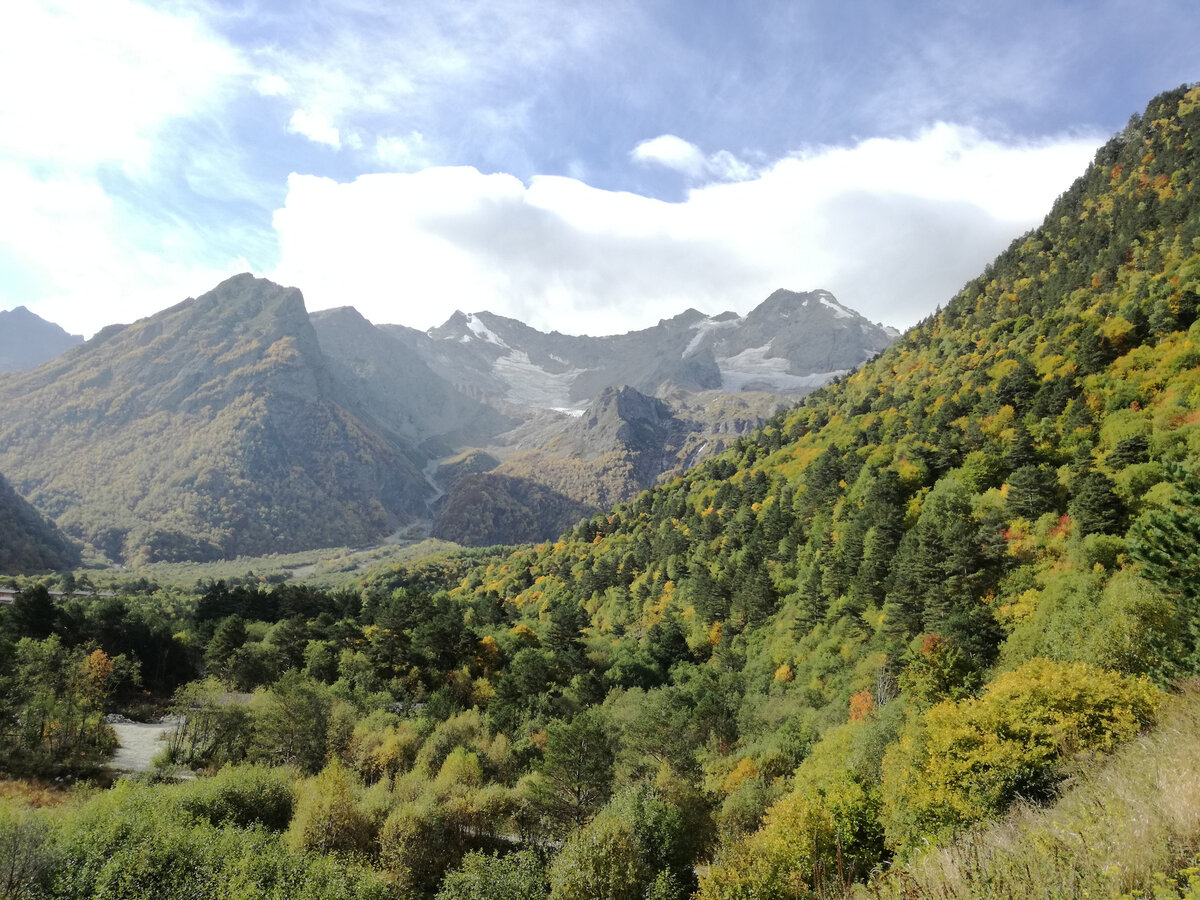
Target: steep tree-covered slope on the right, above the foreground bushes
[1063,383]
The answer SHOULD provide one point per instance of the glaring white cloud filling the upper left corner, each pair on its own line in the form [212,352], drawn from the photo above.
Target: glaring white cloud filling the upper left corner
[97,99]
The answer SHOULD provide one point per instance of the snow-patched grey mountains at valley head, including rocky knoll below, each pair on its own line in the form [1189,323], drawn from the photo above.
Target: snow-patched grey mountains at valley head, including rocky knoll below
[596,421]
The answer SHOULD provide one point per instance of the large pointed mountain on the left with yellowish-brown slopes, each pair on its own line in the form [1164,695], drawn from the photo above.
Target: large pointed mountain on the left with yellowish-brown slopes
[209,430]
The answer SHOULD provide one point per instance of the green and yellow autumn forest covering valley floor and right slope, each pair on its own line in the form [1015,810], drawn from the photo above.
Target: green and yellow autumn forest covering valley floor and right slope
[934,633]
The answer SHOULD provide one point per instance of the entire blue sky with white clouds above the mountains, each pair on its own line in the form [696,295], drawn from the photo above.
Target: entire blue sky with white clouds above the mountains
[589,169]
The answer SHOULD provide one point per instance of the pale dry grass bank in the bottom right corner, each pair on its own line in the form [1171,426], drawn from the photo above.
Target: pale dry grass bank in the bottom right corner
[1124,825]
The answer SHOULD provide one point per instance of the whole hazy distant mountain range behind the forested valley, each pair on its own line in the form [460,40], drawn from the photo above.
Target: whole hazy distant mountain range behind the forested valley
[238,424]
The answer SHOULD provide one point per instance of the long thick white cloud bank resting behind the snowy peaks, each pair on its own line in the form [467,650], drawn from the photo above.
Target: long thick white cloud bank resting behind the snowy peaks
[893,227]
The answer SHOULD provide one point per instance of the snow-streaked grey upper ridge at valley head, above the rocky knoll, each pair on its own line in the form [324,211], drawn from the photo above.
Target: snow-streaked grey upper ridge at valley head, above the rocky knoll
[790,344]
